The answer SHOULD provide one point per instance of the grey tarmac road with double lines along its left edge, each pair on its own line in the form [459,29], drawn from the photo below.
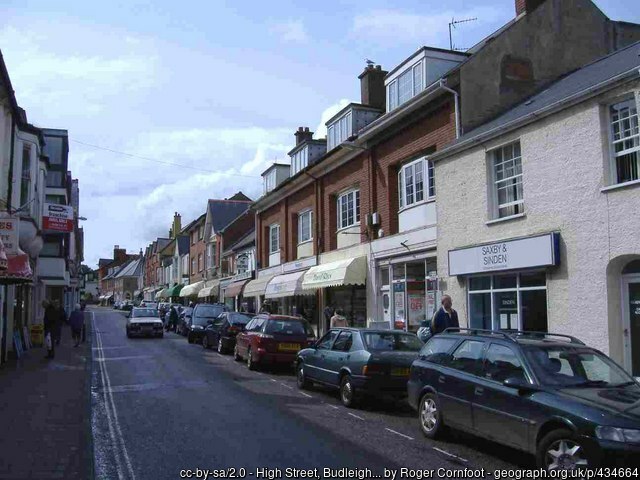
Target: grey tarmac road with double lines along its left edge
[160,406]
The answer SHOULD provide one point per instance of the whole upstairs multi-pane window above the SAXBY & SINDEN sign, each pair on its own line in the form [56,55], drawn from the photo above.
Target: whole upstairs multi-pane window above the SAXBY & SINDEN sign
[507,180]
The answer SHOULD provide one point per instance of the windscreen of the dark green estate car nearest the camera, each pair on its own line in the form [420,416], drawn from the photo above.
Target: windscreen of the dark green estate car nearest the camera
[571,366]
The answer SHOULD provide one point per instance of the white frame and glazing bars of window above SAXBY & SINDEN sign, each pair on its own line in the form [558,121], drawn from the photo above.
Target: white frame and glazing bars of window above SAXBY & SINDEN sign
[510,181]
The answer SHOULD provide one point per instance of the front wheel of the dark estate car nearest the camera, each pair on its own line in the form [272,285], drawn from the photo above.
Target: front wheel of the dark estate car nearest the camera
[562,450]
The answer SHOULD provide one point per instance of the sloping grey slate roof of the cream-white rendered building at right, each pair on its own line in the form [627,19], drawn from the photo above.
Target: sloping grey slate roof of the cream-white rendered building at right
[575,85]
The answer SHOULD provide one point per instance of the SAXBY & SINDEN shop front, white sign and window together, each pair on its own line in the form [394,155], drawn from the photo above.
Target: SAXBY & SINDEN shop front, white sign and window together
[506,282]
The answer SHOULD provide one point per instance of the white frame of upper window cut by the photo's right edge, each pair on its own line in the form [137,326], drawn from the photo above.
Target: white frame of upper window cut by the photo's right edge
[633,137]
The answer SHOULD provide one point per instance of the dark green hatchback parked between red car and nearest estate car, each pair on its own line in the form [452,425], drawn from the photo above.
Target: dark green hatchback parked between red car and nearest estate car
[360,362]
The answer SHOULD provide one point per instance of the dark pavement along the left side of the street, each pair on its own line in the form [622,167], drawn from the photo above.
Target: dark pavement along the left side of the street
[45,414]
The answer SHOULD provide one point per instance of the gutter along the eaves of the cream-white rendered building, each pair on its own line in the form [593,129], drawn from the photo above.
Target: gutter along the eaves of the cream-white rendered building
[535,115]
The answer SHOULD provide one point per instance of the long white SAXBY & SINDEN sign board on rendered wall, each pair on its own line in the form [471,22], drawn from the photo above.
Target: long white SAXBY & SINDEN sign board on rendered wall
[539,251]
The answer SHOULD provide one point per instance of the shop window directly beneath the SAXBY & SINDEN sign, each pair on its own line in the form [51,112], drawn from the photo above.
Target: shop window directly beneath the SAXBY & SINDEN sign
[509,302]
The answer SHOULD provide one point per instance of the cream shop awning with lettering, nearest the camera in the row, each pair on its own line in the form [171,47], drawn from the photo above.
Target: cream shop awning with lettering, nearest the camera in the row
[352,271]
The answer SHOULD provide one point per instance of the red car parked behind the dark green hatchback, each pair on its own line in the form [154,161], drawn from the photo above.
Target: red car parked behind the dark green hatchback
[272,339]
